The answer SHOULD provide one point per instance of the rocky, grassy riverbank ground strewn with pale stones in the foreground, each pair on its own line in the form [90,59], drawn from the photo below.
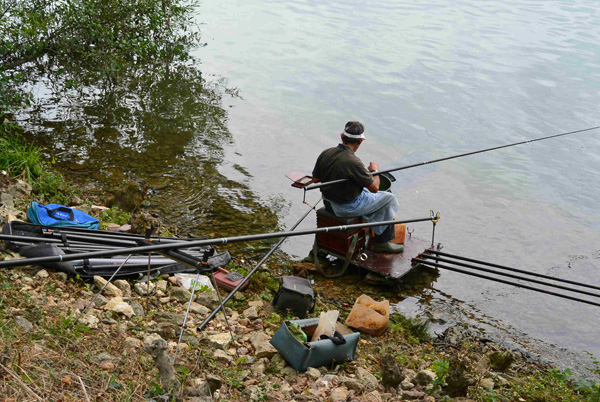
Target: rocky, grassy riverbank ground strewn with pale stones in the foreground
[122,347]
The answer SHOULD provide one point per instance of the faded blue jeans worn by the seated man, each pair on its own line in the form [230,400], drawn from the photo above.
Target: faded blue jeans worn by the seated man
[373,207]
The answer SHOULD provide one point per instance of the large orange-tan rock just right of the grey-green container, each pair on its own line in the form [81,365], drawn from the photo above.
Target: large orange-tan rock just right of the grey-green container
[368,316]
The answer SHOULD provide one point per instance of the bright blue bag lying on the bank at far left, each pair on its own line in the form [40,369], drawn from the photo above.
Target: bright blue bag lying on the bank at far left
[59,215]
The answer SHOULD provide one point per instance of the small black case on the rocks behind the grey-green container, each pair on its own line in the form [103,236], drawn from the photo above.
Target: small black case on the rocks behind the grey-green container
[295,294]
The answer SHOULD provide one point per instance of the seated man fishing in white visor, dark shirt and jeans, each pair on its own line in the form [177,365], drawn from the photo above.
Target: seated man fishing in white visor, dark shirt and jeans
[360,196]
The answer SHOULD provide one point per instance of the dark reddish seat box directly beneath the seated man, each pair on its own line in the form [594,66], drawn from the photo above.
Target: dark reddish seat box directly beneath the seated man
[338,241]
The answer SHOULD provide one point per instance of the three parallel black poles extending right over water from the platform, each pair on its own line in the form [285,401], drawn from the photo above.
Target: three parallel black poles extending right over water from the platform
[508,275]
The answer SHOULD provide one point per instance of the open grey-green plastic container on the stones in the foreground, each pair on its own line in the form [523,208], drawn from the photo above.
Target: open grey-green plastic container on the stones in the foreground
[313,354]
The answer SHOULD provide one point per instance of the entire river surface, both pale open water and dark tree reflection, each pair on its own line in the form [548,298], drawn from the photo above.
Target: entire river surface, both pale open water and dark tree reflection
[428,80]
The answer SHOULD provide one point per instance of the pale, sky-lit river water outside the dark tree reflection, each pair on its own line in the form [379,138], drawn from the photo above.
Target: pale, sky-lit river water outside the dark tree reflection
[430,79]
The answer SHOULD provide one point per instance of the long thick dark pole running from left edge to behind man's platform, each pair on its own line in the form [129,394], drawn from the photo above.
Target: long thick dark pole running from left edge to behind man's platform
[207,242]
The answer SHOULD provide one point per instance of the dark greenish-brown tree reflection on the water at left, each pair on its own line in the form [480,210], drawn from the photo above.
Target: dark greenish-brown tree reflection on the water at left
[163,127]
